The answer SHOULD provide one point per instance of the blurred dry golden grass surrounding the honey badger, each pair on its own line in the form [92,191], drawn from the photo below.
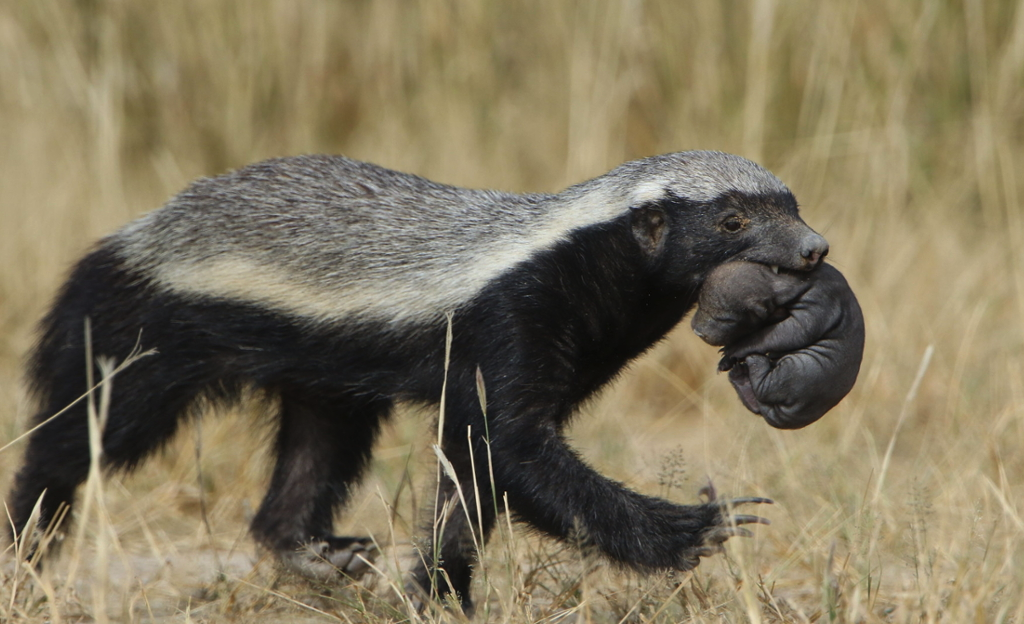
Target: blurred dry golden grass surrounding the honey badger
[900,124]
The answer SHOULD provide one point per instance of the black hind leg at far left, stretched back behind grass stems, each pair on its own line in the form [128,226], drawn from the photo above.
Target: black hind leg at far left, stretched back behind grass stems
[161,387]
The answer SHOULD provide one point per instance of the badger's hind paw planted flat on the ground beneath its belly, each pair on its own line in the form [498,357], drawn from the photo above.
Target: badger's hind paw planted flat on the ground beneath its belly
[330,558]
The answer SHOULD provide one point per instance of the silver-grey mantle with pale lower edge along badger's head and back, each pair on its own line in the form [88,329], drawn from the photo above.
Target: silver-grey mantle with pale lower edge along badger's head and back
[328,238]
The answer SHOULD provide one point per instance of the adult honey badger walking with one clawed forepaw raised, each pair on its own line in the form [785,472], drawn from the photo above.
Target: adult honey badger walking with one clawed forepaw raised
[326,282]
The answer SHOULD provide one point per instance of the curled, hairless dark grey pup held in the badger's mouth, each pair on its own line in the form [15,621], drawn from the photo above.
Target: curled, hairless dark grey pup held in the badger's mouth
[793,342]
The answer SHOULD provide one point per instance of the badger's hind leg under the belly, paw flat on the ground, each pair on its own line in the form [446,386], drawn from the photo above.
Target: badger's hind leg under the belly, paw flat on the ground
[324,446]
